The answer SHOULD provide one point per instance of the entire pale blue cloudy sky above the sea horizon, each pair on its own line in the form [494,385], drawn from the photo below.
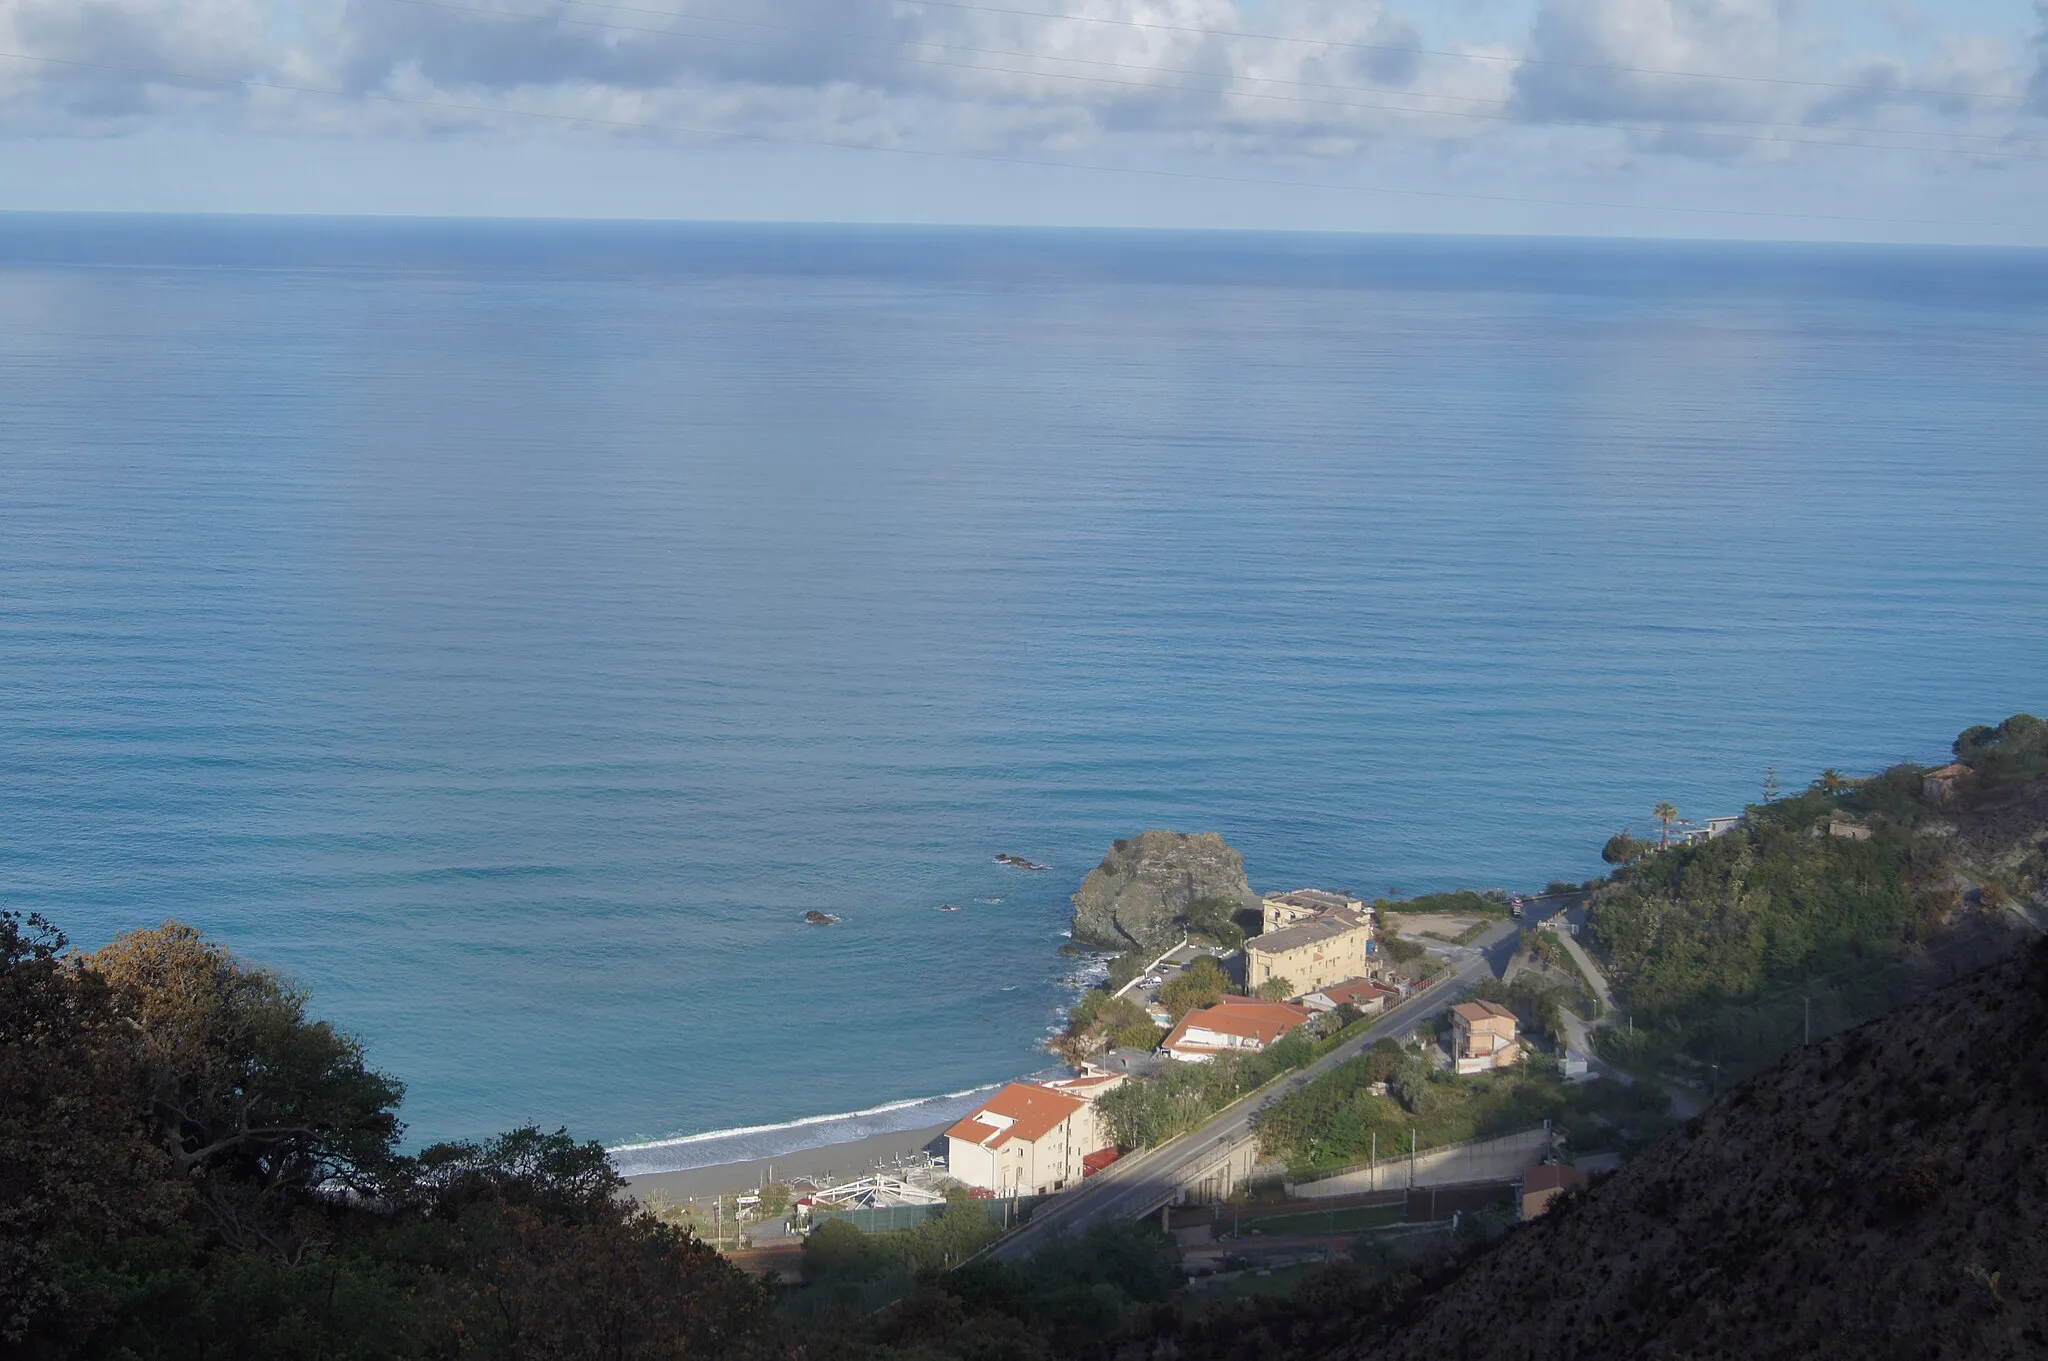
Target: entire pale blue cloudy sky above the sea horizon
[1789,120]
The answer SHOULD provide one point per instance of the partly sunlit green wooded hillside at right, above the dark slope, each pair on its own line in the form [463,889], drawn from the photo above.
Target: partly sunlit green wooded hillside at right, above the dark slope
[1818,912]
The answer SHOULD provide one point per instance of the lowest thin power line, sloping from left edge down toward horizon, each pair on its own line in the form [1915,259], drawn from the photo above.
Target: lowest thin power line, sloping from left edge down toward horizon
[224,83]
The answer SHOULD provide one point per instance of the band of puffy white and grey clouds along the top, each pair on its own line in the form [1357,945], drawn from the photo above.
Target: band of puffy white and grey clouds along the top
[1336,79]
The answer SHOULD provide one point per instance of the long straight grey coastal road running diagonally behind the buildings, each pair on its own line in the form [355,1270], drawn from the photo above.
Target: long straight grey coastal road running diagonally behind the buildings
[1144,1182]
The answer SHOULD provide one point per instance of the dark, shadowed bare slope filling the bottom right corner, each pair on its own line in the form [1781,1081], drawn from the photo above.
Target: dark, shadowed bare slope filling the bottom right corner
[1881,1194]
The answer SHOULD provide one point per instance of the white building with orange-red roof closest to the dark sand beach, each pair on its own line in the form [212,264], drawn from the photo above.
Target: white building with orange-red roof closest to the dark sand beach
[1033,1139]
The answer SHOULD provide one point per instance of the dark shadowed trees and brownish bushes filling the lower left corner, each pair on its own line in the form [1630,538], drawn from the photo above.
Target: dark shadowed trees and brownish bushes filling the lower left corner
[198,1170]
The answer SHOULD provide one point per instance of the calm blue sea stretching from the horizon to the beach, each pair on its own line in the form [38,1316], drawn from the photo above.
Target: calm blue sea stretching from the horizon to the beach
[513,631]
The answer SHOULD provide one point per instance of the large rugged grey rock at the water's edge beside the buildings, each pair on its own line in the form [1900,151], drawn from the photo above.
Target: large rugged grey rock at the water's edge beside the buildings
[1142,889]
